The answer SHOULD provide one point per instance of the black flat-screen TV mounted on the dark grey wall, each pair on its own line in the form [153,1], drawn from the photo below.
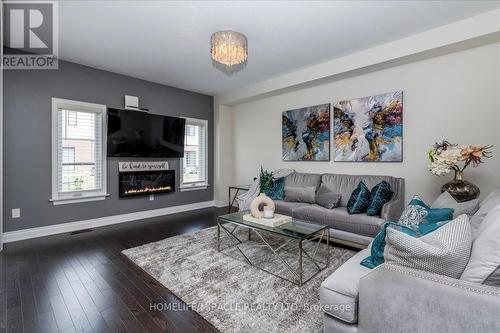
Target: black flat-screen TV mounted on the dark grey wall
[139,134]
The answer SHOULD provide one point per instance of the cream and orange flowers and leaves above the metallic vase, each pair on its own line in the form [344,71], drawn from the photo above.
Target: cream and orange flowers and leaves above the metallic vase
[445,156]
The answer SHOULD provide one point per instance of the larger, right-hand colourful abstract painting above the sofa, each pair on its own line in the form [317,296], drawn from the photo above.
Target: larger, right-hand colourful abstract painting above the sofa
[369,129]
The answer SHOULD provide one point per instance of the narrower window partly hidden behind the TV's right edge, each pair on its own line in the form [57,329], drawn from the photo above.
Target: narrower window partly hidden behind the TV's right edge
[195,162]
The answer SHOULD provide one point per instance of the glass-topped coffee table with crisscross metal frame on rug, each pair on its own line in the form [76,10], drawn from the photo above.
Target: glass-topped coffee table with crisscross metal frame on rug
[289,236]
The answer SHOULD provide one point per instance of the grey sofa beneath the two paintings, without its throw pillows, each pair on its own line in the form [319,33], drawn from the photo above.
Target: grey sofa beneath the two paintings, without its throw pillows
[355,230]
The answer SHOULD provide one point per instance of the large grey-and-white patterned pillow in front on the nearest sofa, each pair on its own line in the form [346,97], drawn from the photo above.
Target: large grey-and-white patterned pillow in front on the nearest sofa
[445,251]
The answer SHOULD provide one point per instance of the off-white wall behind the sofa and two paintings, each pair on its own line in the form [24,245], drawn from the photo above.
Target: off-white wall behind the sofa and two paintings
[455,95]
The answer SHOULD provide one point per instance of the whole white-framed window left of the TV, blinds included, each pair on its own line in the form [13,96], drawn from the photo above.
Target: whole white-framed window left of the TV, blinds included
[78,151]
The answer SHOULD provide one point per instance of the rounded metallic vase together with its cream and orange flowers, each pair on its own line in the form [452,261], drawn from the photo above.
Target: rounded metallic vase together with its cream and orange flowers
[445,157]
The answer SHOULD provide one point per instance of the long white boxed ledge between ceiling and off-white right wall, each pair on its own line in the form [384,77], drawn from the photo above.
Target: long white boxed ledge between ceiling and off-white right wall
[471,32]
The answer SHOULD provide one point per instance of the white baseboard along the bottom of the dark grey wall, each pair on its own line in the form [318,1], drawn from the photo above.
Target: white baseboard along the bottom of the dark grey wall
[13,236]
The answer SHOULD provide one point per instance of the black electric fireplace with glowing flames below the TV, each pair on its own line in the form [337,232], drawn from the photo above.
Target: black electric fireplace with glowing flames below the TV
[146,182]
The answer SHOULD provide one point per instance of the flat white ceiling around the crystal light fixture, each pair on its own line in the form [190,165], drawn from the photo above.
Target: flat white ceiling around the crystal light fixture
[168,42]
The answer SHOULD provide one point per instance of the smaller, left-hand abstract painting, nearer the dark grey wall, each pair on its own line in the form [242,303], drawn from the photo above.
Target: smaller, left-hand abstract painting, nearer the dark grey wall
[306,134]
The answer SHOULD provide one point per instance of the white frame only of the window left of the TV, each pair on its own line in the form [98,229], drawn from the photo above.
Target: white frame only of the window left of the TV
[85,195]
